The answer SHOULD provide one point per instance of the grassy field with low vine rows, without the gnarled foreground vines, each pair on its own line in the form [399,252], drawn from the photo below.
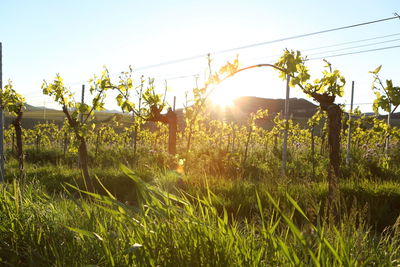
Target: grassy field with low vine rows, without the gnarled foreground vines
[229,206]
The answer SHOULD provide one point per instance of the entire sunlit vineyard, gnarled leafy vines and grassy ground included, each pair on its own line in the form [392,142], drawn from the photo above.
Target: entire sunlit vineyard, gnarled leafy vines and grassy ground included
[196,187]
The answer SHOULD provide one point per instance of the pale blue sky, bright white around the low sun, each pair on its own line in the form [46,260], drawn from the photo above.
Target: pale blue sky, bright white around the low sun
[77,38]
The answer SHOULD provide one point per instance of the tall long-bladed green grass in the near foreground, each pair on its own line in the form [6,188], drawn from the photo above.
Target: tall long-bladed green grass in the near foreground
[162,229]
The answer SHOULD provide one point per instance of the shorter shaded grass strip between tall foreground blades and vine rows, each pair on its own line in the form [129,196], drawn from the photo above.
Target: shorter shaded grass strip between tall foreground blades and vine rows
[379,198]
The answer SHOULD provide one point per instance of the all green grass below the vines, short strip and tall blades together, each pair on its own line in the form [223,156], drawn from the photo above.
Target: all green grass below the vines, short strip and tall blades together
[157,216]
